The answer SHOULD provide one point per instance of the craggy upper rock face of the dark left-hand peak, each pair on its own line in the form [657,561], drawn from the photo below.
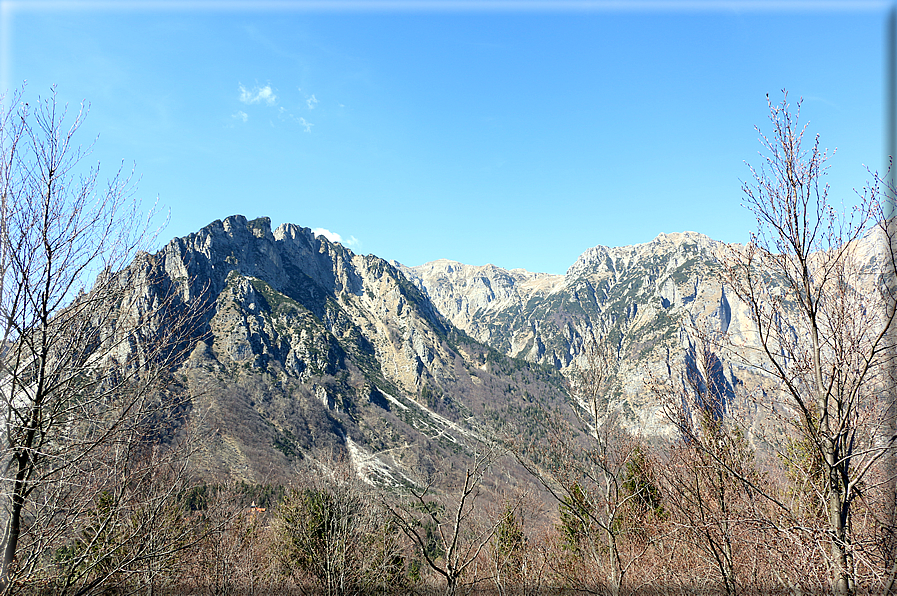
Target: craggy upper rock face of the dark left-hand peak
[271,289]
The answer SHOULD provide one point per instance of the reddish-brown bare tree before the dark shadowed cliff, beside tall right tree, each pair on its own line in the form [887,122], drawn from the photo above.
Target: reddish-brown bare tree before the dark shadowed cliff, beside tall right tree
[709,475]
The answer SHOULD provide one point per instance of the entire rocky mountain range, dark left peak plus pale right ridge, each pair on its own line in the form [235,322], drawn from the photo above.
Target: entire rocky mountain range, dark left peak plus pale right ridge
[306,346]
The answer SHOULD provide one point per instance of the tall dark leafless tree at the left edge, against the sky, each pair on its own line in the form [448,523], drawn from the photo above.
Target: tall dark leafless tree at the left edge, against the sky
[87,336]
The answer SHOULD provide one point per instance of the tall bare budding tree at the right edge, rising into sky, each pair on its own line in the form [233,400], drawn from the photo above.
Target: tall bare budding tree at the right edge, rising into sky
[820,302]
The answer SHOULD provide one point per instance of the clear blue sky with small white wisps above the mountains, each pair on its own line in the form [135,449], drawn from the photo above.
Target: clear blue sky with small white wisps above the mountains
[515,133]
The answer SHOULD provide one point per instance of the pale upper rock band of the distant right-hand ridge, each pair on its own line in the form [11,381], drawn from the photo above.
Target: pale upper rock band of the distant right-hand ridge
[544,317]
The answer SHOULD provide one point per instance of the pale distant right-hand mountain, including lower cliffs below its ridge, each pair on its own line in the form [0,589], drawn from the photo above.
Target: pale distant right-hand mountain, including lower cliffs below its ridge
[645,299]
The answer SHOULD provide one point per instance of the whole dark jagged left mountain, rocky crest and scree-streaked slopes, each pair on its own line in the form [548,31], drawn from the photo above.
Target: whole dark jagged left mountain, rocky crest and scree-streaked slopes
[306,346]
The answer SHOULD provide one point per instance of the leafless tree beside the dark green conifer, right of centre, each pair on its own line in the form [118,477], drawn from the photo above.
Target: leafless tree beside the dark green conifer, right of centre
[595,471]
